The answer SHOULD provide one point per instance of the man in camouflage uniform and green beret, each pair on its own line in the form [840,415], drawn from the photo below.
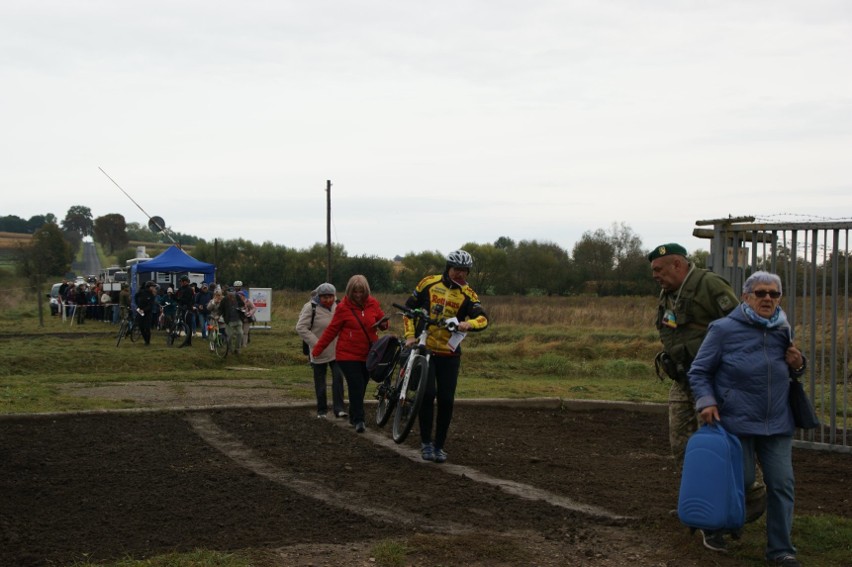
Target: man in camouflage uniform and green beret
[690,299]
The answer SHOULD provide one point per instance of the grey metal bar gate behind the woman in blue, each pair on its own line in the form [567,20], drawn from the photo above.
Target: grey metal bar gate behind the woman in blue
[812,259]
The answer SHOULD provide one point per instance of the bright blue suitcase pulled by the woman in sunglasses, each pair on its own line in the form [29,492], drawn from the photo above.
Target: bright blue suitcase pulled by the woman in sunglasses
[712,492]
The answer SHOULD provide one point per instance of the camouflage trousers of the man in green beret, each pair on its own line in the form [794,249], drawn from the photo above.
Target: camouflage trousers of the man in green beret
[683,422]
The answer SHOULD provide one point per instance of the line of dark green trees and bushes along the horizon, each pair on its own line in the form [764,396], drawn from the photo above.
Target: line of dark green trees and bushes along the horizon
[602,262]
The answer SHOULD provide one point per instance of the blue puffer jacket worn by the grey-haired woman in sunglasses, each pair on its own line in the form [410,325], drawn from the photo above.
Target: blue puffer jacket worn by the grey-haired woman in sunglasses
[740,368]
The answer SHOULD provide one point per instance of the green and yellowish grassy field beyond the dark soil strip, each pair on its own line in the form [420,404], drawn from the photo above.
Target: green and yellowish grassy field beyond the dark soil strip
[571,348]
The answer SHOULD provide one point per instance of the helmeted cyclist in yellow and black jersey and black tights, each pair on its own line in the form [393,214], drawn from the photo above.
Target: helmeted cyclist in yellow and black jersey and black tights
[444,295]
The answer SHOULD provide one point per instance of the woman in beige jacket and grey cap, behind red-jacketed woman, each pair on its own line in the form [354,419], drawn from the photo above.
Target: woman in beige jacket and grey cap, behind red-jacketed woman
[314,317]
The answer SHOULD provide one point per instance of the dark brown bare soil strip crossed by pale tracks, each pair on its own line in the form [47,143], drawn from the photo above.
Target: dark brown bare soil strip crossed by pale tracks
[524,486]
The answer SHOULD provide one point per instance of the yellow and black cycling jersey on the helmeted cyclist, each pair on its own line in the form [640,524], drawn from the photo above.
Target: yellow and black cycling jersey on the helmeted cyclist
[444,299]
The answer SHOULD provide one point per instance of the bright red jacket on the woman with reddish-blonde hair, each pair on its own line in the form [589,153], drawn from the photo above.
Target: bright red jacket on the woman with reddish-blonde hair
[349,324]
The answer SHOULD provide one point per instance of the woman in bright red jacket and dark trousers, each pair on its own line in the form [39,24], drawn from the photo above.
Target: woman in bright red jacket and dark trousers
[354,325]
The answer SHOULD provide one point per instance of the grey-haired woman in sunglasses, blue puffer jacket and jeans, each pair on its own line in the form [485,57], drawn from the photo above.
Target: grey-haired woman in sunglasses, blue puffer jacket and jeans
[740,378]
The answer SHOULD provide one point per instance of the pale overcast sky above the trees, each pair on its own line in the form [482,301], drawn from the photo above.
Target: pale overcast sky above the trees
[438,123]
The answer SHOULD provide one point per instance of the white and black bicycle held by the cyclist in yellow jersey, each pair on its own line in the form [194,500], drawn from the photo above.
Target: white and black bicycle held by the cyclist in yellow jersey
[406,393]
